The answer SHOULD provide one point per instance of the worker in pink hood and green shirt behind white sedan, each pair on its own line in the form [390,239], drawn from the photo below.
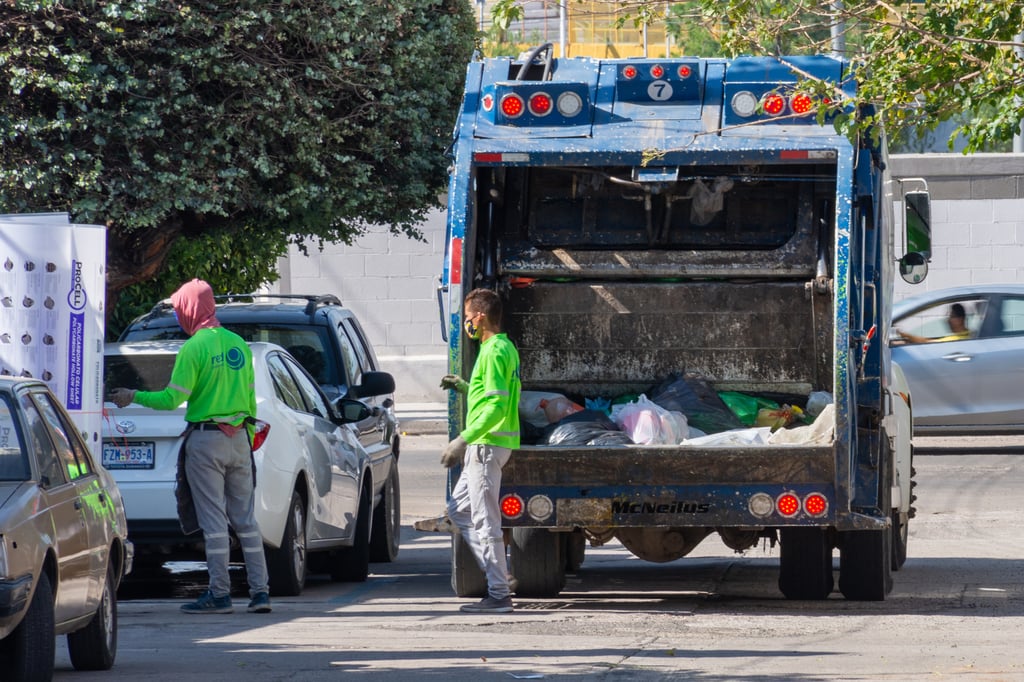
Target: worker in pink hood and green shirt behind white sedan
[215,373]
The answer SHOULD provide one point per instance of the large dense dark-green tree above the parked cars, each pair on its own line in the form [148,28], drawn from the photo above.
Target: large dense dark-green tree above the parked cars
[228,121]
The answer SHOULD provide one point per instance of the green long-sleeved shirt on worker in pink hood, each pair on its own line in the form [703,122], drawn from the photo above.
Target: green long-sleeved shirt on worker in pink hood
[215,373]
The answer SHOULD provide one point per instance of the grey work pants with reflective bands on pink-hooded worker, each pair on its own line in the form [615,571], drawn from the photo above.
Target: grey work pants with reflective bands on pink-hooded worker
[221,475]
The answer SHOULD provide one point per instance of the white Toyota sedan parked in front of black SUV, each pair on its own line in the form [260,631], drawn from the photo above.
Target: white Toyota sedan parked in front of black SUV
[315,489]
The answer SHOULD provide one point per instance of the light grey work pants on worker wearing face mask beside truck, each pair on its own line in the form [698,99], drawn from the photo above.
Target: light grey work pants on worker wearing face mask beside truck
[475,508]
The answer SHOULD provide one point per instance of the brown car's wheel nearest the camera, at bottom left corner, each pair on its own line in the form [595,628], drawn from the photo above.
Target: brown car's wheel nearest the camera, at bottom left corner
[28,653]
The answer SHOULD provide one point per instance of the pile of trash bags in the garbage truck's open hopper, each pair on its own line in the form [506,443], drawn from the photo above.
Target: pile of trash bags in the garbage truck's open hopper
[684,410]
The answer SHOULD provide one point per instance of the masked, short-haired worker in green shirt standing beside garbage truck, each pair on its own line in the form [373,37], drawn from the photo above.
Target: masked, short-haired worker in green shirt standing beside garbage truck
[486,445]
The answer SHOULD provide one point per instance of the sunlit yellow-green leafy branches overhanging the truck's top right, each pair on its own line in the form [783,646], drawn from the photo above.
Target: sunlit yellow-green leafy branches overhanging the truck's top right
[919,63]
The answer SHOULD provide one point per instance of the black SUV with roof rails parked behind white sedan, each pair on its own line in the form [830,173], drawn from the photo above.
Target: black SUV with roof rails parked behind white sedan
[327,339]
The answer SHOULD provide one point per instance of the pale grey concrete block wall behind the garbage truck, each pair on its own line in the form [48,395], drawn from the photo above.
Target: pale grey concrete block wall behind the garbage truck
[392,282]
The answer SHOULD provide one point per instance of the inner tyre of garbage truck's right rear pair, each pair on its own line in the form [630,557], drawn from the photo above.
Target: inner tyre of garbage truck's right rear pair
[805,564]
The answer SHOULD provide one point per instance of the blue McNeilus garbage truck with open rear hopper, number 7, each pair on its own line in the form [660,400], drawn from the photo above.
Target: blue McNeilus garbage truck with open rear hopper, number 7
[690,228]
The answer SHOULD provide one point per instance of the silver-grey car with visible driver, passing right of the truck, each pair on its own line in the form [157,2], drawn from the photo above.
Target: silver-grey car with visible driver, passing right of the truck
[968,383]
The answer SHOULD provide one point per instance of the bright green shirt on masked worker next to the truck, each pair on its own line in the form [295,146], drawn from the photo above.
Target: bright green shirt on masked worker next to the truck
[493,417]
